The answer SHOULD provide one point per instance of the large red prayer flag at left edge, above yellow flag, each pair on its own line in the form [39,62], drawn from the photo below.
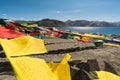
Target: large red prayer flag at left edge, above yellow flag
[6,33]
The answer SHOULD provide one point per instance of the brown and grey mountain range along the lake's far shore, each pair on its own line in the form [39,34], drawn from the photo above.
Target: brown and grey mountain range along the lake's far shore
[57,23]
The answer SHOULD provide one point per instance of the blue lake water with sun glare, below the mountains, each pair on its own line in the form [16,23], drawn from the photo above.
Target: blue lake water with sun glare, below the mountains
[102,30]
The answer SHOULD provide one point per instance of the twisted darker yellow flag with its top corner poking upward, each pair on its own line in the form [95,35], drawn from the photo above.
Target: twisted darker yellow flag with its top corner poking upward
[62,69]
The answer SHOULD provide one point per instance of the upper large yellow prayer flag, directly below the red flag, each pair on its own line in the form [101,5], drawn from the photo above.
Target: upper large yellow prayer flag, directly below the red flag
[24,45]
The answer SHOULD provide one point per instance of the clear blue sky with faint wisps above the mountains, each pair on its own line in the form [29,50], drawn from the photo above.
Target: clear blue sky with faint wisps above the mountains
[92,10]
